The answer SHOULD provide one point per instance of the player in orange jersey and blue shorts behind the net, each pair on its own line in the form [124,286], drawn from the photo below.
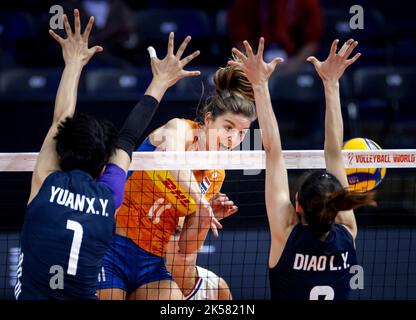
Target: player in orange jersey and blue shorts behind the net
[134,266]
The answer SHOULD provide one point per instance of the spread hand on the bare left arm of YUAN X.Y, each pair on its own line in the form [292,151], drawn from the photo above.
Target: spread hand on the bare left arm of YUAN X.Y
[75,46]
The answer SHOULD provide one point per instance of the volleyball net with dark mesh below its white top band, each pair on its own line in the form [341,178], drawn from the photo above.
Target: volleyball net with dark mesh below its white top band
[386,241]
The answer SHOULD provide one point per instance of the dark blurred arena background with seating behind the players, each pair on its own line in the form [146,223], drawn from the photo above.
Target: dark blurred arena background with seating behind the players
[377,98]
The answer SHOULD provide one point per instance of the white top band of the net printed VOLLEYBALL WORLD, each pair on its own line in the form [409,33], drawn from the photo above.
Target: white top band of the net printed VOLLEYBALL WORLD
[238,160]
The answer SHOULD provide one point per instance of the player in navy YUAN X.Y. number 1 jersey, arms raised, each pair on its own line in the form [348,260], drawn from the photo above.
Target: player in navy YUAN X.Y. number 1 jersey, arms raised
[78,182]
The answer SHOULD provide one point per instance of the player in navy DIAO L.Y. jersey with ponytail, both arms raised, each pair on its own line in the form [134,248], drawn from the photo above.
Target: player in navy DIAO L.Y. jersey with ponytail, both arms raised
[311,257]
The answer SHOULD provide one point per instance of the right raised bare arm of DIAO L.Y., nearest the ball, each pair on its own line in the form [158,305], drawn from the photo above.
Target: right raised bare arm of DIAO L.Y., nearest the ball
[330,72]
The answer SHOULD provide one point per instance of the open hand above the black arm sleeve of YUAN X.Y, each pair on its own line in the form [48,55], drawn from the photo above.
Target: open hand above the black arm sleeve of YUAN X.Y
[170,70]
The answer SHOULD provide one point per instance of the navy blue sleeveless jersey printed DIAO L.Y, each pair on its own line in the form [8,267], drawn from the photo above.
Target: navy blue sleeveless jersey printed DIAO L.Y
[314,269]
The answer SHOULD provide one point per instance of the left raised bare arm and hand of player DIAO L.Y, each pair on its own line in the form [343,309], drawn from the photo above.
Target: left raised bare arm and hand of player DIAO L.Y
[280,211]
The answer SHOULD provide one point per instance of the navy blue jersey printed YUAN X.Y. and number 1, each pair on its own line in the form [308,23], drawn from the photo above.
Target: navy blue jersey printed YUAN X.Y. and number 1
[67,228]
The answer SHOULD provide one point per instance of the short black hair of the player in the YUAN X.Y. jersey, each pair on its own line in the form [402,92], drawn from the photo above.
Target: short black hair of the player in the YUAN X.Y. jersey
[85,143]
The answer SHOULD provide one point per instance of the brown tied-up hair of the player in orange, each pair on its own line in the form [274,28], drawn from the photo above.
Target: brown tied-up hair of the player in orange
[234,94]
